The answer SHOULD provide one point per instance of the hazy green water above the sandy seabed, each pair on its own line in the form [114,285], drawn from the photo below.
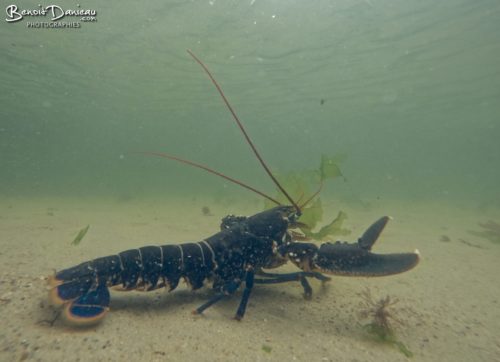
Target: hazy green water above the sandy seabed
[408,90]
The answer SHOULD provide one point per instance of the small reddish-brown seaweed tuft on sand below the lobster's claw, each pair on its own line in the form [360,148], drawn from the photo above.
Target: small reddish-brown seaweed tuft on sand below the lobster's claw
[383,318]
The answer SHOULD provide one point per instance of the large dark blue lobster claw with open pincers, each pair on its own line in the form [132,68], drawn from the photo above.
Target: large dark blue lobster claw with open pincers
[356,259]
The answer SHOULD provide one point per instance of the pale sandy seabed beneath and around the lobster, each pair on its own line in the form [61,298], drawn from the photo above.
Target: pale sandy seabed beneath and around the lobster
[449,305]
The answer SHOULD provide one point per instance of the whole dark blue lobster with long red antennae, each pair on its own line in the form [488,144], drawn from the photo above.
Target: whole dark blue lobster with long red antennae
[239,254]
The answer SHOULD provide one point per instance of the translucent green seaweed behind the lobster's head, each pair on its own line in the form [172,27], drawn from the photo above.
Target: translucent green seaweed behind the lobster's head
[300,183]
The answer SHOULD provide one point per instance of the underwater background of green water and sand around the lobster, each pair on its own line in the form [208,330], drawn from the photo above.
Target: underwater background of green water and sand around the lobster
[402,96]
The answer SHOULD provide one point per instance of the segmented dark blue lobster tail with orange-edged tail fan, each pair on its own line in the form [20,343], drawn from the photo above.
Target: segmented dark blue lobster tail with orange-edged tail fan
[83,289]
